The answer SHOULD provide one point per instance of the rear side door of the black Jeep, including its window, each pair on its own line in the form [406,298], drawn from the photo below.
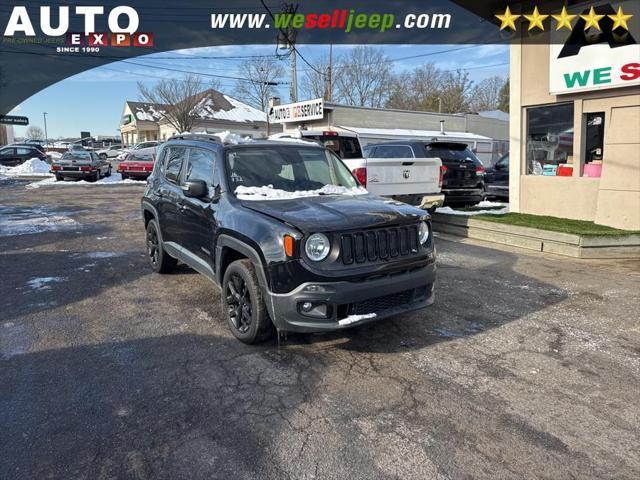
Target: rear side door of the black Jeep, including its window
[170,194]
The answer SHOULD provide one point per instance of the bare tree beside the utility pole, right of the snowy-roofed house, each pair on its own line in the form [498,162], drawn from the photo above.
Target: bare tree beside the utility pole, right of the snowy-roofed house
[263,75]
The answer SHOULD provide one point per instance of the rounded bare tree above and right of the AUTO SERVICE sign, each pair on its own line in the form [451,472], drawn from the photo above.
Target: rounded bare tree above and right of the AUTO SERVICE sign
[364,78]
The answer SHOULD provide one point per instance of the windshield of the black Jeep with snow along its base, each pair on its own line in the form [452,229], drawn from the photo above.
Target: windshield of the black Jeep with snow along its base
[292,169]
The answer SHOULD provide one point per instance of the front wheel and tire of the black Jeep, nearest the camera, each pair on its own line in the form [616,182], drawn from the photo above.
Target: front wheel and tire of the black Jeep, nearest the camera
[243,303]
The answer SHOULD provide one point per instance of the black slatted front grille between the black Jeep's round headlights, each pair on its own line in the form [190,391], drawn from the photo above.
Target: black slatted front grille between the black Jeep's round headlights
[380,244]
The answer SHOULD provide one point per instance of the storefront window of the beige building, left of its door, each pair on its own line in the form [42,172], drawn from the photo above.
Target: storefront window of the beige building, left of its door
[550,140]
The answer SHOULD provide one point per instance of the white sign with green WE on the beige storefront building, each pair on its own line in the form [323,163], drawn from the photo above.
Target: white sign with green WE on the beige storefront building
[593,59]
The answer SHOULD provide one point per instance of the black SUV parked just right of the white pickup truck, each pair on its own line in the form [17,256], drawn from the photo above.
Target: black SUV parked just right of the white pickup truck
[463,173]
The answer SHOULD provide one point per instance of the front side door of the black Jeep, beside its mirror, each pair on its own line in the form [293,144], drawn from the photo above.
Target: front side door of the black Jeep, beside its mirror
[198,228]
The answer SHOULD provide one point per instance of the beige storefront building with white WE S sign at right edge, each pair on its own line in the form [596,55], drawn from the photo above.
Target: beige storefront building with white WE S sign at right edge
[575,127]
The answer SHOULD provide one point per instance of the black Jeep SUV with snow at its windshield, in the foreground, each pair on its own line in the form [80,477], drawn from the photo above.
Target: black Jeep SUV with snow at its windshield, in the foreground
[287,233]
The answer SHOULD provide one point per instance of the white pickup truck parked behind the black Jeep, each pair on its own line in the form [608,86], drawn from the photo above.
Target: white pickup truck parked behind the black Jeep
[396,171]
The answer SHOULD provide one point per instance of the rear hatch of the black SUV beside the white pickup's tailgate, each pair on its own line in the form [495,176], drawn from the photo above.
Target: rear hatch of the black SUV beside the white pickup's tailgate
[463,169]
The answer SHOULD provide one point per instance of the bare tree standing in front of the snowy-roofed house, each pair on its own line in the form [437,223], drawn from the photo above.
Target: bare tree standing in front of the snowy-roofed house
[177,97]
